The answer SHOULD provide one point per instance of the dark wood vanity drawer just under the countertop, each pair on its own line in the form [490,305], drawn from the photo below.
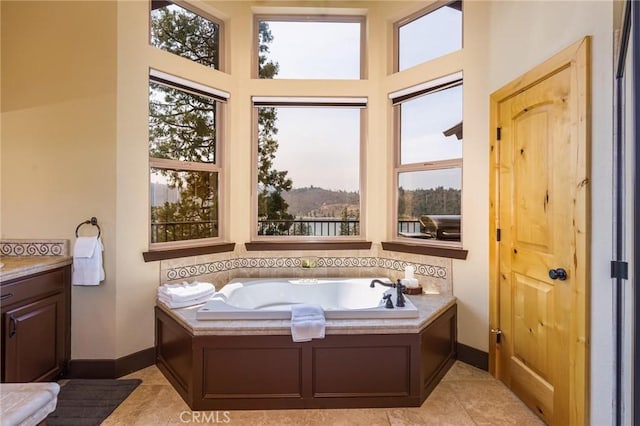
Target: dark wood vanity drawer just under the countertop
[32,287]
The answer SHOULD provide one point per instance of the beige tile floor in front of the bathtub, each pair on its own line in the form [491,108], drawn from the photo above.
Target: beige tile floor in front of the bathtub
[466,396]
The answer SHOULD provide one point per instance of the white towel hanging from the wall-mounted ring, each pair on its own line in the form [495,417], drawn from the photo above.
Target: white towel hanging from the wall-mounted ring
[87,261]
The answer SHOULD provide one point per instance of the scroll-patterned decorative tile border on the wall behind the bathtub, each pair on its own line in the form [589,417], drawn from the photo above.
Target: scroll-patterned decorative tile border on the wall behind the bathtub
[189,271]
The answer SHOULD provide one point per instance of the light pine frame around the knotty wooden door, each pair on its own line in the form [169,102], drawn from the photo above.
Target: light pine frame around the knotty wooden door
[576,57]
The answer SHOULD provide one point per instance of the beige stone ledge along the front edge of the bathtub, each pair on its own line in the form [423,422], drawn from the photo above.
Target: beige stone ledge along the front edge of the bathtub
[430,306]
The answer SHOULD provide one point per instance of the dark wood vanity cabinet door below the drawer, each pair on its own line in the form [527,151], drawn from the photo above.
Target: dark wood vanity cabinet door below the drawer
[34,341]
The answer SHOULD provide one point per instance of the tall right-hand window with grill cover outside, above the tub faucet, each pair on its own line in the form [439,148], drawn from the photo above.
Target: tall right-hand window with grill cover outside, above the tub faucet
[428,170]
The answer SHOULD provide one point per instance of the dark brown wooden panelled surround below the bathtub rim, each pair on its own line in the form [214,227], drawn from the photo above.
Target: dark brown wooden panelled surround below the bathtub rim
[214,372]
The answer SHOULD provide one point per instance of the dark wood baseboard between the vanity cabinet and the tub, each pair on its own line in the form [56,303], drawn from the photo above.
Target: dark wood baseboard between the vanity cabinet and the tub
[111,368]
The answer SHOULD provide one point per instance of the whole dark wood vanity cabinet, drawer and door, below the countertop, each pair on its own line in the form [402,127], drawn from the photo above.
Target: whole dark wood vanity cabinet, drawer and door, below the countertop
[36,319]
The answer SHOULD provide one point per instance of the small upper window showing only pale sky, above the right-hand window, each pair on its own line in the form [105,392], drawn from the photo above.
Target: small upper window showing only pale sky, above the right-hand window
[426,36]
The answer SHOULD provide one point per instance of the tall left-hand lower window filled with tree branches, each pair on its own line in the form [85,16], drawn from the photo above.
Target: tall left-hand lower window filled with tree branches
[184,146]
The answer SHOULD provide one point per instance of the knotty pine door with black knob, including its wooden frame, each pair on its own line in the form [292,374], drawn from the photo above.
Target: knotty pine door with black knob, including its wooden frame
[539,259]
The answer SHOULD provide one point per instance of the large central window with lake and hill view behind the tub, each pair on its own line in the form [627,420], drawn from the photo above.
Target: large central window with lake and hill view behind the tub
[308,153]
